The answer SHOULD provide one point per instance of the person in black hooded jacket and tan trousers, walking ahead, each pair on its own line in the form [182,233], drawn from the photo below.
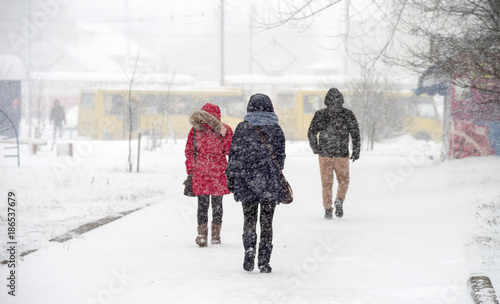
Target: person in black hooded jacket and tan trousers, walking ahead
[334,124]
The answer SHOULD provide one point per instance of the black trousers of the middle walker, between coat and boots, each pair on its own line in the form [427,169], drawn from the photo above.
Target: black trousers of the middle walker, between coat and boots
[250,212]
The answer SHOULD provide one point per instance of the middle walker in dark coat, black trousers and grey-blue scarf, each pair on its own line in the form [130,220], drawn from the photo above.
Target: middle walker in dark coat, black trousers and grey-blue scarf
[254,178]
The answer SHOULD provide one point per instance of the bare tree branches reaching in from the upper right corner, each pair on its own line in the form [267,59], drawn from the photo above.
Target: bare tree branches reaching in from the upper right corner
[461,37]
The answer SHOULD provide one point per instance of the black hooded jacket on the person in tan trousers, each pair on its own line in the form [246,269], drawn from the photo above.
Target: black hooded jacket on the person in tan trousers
[334,124]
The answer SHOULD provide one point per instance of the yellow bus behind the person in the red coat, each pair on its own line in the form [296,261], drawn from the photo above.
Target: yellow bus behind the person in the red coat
[104,114]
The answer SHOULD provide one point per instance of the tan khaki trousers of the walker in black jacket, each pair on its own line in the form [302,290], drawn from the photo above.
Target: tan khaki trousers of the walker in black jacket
[327,167]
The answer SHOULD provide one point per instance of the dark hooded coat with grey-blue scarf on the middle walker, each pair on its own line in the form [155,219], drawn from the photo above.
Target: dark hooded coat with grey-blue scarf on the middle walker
[251,169]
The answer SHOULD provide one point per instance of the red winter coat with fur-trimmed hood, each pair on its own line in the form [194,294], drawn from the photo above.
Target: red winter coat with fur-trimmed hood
[213,141]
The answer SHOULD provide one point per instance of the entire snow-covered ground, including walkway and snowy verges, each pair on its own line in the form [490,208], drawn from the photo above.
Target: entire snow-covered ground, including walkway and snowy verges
[414,230]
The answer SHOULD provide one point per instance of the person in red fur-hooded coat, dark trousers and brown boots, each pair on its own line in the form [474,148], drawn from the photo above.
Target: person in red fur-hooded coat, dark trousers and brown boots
[207,163]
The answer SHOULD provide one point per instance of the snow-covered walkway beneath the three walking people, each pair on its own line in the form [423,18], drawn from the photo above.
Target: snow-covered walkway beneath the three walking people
[400,241]
